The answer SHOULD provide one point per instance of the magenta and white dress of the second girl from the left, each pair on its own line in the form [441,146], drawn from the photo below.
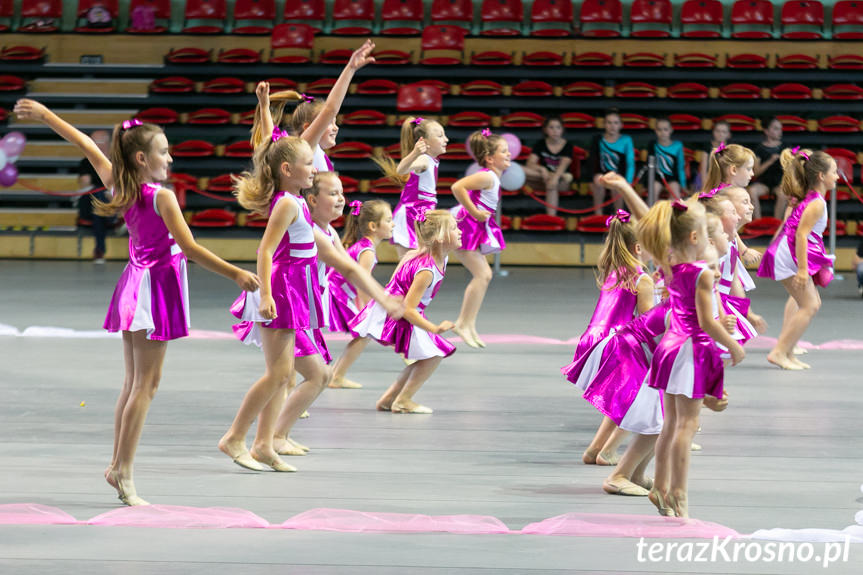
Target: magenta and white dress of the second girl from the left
[293,281]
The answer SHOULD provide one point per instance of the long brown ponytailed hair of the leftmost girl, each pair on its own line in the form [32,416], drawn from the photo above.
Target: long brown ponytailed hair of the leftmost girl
[125,172]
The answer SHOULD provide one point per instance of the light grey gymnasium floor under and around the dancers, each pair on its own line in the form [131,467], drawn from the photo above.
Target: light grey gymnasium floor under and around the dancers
[505,440]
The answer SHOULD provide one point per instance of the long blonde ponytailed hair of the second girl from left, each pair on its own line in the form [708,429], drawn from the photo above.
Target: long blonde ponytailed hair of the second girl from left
[255,189]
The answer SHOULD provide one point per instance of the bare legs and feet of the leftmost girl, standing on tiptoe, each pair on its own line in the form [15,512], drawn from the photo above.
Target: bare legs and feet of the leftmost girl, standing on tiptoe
[148,357]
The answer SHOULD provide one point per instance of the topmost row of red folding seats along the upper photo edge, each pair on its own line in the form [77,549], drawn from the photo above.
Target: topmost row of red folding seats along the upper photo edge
[750,19]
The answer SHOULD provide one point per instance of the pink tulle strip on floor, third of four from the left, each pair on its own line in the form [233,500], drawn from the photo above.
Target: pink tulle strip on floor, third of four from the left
[361,521]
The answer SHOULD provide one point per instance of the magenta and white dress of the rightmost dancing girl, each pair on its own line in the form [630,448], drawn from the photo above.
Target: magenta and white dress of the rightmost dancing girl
[780,259]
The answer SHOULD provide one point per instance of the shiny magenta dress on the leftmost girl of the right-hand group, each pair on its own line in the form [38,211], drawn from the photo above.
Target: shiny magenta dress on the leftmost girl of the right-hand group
[615,308]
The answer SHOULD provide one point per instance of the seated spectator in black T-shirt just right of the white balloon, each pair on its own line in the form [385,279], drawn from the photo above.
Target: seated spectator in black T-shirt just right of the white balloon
[548,164]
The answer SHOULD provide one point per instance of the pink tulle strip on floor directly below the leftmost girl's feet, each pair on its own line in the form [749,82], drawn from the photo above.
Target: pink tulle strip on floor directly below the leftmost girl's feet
[179,517]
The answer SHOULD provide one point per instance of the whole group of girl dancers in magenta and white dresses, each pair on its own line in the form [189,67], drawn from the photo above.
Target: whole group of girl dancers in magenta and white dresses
[652,354]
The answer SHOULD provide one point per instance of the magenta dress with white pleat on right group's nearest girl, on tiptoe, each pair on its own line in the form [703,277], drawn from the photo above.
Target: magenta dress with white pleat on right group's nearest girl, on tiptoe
[687,361]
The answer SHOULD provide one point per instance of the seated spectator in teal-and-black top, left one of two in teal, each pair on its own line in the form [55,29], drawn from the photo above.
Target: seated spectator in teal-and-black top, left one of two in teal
[612,152]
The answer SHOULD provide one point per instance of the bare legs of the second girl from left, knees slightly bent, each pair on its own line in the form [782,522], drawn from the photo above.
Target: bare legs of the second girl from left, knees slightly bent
[263,400]
